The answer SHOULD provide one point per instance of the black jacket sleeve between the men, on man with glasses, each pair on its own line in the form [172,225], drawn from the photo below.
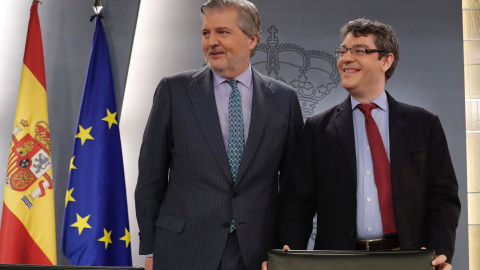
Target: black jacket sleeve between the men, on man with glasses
[297,194]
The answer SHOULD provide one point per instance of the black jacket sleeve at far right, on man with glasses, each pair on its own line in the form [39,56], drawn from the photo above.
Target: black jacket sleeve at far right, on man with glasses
[443,204]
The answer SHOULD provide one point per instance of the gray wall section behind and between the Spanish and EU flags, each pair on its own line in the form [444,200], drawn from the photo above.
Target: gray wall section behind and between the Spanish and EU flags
[67,38]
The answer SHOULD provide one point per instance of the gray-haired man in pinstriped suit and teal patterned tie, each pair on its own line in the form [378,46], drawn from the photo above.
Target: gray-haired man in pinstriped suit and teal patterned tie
[214,153]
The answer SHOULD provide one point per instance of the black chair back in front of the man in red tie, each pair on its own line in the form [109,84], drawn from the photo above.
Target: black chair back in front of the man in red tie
[345,260]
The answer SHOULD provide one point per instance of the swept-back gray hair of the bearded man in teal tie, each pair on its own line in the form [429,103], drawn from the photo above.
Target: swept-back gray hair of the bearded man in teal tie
[248,16]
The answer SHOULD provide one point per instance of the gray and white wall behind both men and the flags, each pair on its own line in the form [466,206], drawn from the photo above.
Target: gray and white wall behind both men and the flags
[167,40]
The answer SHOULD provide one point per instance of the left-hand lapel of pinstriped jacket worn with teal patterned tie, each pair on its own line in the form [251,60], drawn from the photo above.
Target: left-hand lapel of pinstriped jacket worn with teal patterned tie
[203,99]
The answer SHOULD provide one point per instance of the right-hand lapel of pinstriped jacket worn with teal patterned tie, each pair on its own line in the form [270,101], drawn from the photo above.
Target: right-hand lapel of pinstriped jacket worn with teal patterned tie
[261,106]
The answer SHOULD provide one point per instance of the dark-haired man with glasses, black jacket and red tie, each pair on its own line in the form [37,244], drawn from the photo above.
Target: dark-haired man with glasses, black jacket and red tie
[393,190]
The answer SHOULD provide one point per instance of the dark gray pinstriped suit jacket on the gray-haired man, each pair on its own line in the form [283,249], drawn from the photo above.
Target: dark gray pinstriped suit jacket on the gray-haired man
[185,196]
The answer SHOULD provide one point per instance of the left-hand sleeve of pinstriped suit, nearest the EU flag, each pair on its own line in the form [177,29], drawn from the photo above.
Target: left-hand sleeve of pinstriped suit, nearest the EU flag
[153,165]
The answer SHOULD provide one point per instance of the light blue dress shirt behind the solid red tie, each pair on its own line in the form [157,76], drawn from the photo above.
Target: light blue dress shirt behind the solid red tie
[369,220]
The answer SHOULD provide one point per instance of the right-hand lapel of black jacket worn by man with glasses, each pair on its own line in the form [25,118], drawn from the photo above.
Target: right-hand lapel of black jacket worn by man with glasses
[398,130]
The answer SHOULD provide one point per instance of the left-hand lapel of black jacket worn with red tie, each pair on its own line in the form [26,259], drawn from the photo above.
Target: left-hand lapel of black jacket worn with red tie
[343,120]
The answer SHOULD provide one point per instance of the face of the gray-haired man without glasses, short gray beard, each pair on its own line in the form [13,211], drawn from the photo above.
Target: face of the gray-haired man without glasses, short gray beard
[225,46]
